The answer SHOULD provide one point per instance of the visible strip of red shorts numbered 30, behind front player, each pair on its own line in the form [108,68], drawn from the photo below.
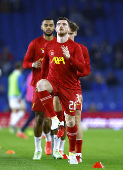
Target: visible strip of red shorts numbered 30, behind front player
[79,100]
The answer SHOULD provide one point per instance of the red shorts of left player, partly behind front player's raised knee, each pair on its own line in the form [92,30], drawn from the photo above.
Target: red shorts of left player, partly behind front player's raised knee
[37,106]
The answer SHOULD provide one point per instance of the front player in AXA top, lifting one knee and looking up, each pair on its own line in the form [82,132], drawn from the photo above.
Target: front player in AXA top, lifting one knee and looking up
[64,58]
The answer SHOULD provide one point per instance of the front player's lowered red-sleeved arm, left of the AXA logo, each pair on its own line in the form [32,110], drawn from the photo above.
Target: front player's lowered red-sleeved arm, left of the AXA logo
[45,65]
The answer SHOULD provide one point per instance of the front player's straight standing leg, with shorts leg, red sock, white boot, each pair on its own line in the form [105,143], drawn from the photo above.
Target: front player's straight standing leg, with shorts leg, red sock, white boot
[68,99]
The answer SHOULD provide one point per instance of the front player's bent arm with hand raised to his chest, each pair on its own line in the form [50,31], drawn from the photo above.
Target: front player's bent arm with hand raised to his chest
[78,60]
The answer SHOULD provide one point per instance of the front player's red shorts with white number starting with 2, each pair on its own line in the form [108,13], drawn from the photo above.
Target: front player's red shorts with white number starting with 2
[66,96]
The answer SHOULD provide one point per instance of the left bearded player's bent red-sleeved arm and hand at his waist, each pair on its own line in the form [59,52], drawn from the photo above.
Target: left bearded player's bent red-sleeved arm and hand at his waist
[28,59]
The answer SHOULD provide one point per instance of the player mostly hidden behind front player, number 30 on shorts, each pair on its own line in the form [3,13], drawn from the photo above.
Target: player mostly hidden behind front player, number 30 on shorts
[72,33]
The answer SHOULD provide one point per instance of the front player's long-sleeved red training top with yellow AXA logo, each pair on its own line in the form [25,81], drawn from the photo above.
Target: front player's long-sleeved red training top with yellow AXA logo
[62,70]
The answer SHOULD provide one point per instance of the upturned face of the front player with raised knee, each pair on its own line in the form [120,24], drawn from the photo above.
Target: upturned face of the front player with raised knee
[62,28]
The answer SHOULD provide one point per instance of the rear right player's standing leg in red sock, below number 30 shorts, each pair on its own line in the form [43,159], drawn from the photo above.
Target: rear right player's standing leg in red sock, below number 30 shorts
[79,138]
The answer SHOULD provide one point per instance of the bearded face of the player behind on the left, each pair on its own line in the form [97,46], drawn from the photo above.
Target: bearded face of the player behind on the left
[48,27]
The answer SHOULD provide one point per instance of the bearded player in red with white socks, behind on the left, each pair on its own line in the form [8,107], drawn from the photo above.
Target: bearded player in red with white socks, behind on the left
[33,59]
